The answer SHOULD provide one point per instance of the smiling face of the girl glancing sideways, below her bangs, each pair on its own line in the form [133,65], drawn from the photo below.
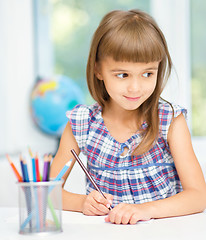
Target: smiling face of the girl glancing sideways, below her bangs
[128,84]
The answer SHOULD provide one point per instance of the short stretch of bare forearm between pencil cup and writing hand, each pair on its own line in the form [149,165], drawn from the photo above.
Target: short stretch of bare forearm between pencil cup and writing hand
[72,201]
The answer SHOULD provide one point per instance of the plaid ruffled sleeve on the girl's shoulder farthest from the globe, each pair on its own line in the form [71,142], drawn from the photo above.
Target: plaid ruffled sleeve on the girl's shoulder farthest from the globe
[167,112]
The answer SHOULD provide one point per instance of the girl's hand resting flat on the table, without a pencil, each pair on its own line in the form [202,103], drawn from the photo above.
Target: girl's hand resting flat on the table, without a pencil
[125,213]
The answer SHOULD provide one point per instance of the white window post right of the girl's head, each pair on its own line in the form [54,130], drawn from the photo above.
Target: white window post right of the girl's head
[174,19]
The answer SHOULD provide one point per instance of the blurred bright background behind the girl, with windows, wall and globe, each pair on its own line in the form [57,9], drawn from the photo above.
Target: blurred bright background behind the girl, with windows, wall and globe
[44,46]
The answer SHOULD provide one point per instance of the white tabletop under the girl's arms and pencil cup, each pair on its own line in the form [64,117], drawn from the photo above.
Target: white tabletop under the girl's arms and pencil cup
[77,226]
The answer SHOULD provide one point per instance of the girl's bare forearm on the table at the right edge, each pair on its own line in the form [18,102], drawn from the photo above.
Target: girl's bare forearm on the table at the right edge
[183,203]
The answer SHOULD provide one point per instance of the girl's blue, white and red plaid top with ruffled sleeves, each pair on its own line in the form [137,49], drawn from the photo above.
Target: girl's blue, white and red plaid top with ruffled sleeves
[136,179]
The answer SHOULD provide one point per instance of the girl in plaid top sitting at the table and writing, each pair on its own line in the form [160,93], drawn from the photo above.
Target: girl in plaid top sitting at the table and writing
[138,145]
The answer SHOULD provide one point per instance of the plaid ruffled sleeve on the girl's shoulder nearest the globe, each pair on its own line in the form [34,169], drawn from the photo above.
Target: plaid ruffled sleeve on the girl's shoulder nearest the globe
[79,118]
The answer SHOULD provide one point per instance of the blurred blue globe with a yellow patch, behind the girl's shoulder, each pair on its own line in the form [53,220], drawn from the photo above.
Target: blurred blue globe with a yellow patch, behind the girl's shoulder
[50,99]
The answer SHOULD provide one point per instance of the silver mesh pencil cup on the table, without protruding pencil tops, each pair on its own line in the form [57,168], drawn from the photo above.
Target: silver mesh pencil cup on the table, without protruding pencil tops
[40,207]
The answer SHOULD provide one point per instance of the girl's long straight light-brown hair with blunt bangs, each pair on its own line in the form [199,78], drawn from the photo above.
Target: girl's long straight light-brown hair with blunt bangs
[131,36]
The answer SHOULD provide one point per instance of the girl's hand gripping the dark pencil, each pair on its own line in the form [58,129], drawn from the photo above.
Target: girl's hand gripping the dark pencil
[96,204]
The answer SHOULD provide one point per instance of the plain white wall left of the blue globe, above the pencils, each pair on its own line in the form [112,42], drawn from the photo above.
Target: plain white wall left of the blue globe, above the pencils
[17,130]
